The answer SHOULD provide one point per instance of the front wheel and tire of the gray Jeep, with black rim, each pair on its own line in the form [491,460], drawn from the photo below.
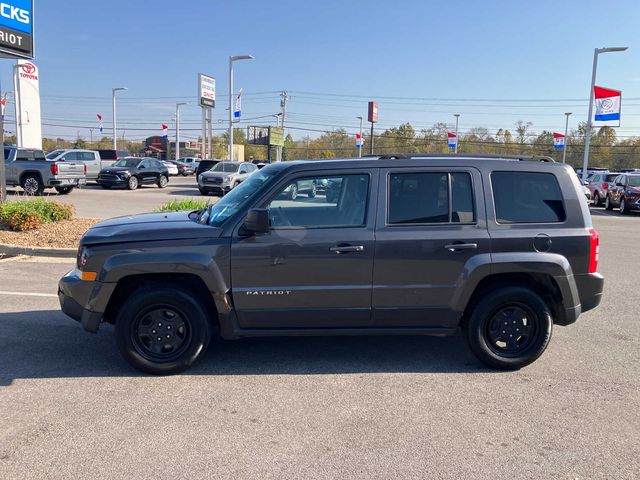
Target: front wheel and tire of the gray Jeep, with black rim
[167,309]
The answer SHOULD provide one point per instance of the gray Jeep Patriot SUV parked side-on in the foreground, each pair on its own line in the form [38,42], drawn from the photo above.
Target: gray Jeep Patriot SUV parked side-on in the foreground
[502,248]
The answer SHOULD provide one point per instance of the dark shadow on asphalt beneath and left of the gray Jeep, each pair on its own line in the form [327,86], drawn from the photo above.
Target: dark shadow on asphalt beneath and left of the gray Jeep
[47,344]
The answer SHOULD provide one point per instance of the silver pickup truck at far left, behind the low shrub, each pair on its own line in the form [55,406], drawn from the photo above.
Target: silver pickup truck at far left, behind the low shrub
[30,169]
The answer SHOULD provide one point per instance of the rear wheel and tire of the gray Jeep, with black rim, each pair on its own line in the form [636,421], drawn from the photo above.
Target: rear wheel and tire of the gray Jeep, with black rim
[496,347]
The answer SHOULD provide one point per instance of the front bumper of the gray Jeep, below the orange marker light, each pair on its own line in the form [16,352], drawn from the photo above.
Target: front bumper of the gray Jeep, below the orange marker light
[82,300]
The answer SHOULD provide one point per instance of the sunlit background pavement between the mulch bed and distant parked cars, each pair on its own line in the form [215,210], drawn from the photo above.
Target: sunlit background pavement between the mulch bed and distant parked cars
[92,201]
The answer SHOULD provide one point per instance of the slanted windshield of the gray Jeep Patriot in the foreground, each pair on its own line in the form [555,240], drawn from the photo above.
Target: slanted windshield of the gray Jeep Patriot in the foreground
[217,213]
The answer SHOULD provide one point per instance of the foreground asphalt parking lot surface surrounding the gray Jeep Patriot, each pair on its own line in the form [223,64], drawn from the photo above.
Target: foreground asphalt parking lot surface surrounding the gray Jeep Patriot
[395,407]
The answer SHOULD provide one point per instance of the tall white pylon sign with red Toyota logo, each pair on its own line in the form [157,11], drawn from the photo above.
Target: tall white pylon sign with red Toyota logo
[27,94]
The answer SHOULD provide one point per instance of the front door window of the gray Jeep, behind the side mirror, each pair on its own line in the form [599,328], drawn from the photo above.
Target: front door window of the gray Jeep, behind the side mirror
[305,202]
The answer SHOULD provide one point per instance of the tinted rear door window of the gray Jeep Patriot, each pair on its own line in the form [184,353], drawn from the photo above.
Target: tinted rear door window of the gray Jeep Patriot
[421,197]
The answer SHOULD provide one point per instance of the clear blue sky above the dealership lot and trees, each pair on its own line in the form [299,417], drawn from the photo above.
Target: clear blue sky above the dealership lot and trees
[422,60]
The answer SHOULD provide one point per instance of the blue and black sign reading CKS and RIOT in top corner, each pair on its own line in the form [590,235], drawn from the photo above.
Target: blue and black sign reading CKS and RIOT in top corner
[16,28]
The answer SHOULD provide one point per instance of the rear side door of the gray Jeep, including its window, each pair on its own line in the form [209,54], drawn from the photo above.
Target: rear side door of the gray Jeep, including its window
[425,243]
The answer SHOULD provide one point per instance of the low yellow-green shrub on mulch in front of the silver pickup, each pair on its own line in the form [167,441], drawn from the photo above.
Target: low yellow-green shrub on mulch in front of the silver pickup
[28,214]
